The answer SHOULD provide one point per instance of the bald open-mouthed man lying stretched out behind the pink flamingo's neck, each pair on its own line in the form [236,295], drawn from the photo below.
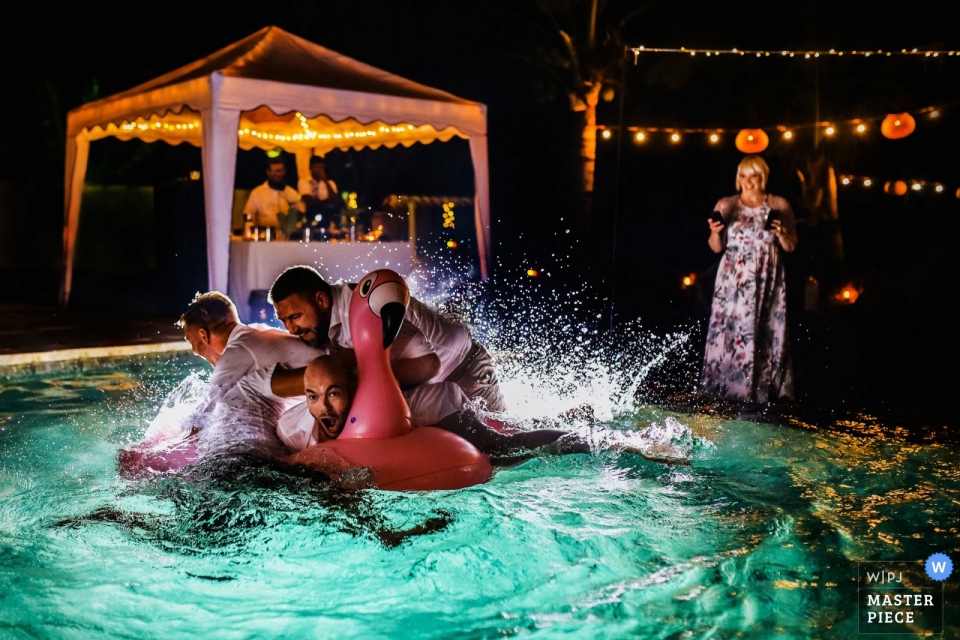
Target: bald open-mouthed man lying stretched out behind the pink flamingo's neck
[329,390]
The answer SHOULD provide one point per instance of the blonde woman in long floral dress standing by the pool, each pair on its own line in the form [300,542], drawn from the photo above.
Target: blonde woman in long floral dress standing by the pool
[748,352]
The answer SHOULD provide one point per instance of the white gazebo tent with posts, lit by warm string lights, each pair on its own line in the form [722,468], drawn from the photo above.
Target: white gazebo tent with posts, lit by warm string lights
[272,89]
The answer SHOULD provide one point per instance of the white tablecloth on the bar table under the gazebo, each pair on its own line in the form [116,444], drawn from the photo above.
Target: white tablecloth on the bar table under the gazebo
[255,265]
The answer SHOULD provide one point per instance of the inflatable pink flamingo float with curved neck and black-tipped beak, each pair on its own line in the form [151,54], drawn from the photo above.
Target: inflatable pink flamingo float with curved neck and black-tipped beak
[378,434]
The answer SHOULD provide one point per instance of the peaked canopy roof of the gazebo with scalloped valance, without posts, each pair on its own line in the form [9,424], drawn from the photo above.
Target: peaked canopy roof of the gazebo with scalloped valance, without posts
[168,108]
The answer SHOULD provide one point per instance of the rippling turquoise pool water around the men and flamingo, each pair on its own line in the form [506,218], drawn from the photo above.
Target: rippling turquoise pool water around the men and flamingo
[759,537]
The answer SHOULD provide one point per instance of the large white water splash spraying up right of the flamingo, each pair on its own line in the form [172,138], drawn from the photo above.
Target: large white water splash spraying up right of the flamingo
[551,353]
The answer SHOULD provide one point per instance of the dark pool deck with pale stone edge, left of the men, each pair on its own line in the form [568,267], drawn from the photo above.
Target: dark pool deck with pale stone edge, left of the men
[35,339]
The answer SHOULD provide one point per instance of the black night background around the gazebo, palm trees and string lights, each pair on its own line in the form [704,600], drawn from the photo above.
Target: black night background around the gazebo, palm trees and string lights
[498,53]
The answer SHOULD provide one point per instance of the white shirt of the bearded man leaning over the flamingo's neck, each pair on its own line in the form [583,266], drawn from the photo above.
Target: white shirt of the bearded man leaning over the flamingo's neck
[424,331]
